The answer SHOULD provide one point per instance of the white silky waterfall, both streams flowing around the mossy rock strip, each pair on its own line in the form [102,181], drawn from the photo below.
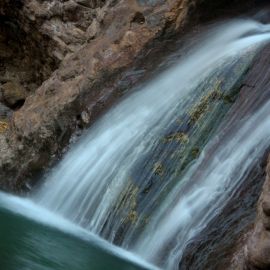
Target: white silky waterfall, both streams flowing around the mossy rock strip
[87,186]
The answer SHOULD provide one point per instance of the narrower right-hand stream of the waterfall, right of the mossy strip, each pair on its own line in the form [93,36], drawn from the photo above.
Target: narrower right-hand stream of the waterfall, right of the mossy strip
[206,187]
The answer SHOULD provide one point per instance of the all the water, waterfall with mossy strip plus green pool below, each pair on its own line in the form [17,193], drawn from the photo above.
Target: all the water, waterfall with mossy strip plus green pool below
[154,171]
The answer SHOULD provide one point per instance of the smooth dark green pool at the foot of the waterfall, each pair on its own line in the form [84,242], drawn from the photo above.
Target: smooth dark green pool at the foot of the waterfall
[29,245]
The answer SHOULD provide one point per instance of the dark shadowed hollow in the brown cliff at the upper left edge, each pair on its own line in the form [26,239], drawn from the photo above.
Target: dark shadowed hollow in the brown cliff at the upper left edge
[23,66]
